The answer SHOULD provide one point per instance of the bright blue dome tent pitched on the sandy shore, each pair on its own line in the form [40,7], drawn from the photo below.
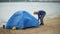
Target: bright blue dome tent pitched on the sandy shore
[21,19]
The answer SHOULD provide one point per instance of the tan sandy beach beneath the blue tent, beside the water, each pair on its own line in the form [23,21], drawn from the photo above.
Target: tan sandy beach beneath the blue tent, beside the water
[52,26]
